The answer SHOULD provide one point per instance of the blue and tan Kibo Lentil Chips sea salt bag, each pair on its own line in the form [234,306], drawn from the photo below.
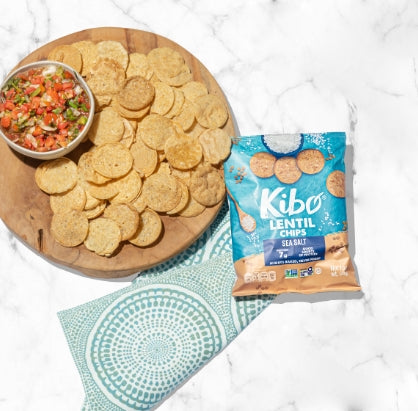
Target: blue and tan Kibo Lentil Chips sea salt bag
[286,196]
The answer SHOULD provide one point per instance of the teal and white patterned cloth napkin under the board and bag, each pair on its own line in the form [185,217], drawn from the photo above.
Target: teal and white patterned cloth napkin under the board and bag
[135,346]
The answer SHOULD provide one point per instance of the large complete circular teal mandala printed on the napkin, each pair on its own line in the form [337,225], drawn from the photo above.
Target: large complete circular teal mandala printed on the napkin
[157,334]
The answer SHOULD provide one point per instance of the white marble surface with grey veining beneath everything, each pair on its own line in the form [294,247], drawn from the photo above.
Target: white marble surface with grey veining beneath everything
[284,66]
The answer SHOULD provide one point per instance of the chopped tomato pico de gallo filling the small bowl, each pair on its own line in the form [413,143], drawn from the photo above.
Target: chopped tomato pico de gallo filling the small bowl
[44,108]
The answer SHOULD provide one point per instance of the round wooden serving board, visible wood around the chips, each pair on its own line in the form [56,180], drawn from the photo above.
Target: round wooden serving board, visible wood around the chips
[25,209]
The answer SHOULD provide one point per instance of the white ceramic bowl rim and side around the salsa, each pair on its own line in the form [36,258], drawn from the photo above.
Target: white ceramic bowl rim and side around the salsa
[48,155]
